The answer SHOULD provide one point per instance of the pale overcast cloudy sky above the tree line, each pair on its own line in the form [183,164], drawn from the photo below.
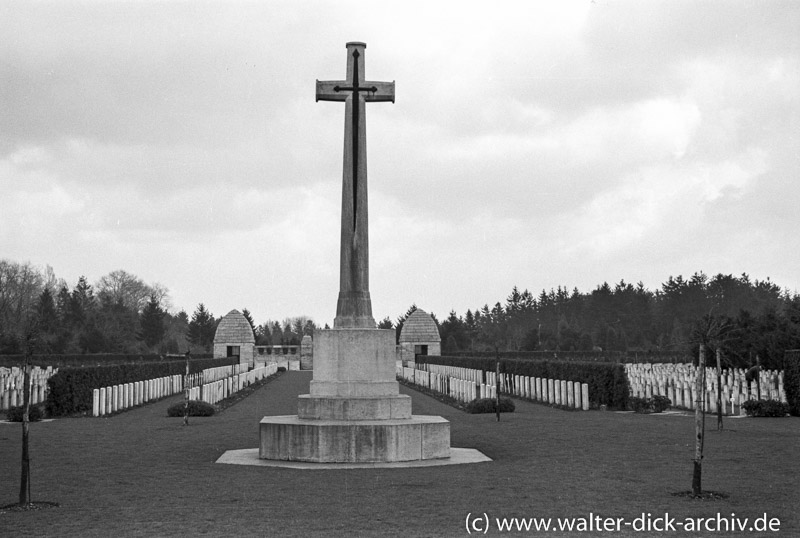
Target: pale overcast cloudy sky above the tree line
[533,144]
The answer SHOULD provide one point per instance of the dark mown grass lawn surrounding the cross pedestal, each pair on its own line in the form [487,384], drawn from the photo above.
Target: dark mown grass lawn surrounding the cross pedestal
[140,473]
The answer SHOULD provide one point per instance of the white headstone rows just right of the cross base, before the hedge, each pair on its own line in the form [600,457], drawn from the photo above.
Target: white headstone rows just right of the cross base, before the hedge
[468,384]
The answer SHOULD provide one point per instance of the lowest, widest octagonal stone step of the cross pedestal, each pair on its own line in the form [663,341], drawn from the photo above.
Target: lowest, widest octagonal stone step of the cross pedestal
[292,438]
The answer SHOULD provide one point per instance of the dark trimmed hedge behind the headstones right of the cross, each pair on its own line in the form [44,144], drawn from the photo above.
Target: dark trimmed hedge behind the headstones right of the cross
[608,383]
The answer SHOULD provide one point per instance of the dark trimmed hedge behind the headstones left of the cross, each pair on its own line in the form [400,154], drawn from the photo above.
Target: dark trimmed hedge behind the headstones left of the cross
[70,389]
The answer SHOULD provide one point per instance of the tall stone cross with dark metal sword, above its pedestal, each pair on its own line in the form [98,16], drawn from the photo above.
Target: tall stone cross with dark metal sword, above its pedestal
[354,306]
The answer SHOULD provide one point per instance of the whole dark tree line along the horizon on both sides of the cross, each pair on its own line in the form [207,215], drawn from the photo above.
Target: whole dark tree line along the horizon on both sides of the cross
[750,320]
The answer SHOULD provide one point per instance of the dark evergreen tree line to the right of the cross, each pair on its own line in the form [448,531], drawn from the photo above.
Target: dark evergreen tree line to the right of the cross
[751,321]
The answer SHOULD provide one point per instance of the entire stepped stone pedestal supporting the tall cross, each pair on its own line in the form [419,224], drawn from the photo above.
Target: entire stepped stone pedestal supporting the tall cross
[354,412]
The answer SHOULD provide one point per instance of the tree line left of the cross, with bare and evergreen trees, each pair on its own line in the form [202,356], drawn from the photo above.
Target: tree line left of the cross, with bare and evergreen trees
[119,313]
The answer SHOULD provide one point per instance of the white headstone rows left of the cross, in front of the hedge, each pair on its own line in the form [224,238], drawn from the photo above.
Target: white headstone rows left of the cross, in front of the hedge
[211,385]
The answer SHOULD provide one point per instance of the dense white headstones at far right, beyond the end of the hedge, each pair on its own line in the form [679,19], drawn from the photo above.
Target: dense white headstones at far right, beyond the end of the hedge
[678,383]
